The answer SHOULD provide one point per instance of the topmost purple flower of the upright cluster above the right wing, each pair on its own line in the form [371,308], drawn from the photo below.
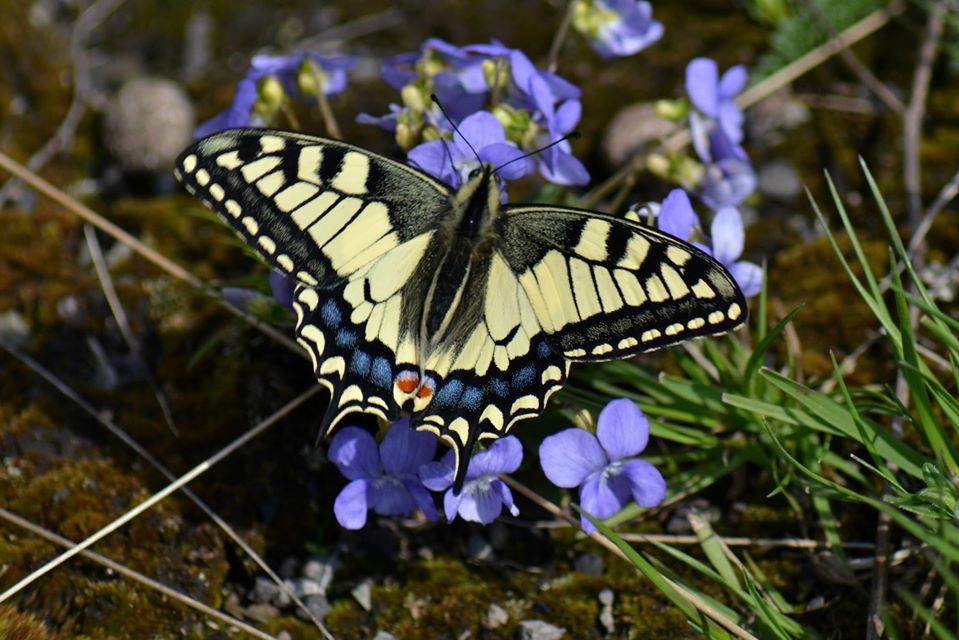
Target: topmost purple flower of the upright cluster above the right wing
[715,96]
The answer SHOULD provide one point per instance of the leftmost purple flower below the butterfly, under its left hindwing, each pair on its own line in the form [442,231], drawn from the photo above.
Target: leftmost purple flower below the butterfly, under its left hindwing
[385,479]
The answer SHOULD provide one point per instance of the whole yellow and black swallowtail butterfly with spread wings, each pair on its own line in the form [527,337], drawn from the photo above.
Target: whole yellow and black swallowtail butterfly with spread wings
[414,297]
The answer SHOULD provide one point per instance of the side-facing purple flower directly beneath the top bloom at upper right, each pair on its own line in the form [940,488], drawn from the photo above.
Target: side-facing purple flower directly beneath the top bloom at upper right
[728,177]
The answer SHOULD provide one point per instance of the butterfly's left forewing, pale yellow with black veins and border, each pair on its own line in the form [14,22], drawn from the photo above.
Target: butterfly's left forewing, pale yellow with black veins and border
[317,210]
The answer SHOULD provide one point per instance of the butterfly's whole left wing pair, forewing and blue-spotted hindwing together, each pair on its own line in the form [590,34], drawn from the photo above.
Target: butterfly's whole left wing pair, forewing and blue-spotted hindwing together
[349,227]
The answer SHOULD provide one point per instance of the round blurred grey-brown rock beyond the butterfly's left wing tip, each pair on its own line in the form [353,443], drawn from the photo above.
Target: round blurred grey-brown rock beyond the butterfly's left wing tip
[148,123]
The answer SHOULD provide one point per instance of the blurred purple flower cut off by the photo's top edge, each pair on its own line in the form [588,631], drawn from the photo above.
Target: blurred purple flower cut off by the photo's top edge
[617,27]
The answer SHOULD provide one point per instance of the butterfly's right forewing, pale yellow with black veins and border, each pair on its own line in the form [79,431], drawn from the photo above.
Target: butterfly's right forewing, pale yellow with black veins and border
[604,287]
